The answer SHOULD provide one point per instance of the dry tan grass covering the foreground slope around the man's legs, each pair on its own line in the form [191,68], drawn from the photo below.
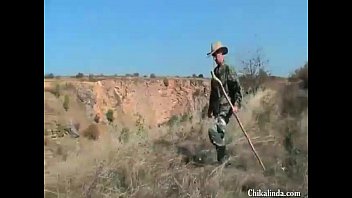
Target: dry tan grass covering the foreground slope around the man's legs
[137,162]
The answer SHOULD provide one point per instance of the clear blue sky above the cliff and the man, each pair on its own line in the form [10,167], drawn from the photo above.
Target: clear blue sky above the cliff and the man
[170,37]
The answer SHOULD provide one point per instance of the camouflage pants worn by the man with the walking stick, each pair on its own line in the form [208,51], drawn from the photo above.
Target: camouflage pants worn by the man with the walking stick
[217,135]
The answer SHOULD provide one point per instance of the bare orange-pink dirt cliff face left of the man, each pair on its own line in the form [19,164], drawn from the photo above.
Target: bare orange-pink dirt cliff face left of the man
[155,99]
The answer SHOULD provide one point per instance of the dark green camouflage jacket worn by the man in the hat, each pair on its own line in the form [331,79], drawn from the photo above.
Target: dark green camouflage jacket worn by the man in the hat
[231,84]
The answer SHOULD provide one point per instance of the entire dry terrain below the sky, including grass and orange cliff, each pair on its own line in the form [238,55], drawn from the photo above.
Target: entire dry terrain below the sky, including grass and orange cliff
[130,157]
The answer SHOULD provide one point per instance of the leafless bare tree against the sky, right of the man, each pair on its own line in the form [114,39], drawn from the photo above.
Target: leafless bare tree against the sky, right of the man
[254,70]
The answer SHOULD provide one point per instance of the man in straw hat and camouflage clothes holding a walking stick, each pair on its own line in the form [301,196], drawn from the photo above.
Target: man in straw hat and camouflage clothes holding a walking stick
[218,105]
